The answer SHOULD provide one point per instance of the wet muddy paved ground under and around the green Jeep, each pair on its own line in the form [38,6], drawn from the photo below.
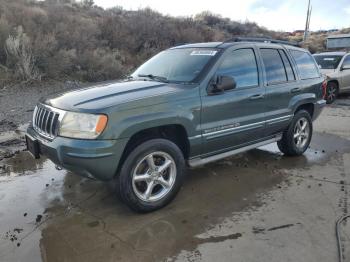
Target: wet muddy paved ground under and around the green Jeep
[256,206]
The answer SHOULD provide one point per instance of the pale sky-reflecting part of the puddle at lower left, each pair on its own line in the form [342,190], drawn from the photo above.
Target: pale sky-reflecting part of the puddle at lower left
[26,192]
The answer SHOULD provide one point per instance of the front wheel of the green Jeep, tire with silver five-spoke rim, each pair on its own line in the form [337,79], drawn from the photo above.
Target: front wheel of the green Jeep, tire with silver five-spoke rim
[151,175]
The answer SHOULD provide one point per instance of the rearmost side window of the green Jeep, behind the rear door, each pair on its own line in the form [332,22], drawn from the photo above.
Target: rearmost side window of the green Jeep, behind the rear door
[306,65]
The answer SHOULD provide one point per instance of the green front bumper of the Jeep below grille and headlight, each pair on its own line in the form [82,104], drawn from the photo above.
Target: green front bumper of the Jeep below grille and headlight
[97,159]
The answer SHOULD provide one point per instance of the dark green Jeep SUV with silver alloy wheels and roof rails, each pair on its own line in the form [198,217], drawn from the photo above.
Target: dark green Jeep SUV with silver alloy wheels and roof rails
[190,104]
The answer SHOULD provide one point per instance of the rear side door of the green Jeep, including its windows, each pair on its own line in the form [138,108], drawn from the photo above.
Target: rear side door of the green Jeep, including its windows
[281,85]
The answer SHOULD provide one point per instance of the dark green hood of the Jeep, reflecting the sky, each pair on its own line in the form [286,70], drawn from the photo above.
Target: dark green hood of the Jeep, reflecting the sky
[102,96]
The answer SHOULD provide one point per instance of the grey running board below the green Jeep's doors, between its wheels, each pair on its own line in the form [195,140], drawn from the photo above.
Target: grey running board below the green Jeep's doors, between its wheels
[202,161]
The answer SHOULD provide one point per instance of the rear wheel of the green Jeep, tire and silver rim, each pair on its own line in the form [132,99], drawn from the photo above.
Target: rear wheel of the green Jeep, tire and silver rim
[297,137]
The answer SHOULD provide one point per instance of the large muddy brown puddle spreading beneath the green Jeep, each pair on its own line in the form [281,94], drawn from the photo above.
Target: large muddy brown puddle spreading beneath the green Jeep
[84,221]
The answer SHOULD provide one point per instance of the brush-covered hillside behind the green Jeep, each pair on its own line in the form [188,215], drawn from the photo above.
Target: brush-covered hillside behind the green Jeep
[67,40]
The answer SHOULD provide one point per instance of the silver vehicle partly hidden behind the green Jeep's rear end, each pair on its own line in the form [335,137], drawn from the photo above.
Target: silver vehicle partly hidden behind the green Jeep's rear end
[336,66]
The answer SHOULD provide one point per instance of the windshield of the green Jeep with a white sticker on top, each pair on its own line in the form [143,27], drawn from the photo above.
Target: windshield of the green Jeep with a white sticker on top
[176,65]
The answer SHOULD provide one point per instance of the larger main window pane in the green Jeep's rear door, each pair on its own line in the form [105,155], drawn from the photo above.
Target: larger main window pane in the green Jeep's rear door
[274,68]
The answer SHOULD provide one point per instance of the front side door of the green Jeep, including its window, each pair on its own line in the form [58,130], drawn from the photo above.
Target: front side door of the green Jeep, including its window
[236,117]
